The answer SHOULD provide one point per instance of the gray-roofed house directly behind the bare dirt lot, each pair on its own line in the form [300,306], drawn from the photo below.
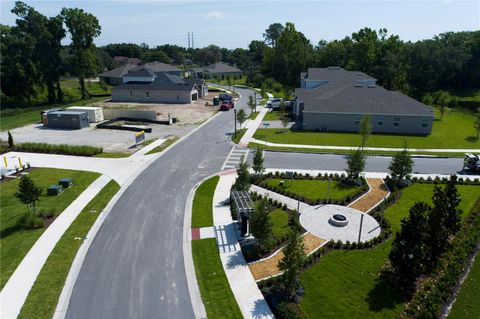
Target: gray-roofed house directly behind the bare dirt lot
[146,86]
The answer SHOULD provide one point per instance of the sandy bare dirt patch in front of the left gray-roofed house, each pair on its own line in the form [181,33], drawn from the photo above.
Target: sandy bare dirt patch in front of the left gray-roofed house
[194,113]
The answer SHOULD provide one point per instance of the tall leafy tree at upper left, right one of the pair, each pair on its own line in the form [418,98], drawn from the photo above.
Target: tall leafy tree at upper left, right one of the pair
[83,28]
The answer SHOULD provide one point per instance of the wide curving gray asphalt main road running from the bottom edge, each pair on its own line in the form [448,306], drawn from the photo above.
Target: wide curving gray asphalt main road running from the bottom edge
[134,267]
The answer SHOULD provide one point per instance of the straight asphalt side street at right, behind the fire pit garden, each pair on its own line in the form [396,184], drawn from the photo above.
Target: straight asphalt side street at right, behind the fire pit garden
[374,163]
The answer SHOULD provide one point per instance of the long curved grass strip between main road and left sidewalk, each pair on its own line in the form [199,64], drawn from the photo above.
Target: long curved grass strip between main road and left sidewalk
[43,297]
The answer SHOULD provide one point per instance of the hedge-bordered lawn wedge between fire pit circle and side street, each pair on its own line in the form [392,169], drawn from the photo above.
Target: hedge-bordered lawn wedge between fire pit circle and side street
[315,189]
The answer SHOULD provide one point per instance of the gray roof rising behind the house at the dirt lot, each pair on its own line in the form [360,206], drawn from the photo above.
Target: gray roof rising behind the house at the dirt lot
[115,76]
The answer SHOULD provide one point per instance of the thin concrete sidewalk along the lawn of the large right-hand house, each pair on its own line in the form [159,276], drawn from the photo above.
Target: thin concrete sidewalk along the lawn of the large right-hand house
[332,147]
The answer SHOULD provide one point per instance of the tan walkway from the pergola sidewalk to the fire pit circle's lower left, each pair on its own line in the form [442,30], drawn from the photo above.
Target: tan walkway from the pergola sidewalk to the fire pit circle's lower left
[268,267]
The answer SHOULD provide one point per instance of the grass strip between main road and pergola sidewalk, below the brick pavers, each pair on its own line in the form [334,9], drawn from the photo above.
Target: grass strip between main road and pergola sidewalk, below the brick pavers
[214,287]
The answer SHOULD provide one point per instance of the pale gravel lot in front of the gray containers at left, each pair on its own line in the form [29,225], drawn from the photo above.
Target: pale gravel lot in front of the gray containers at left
[110,140]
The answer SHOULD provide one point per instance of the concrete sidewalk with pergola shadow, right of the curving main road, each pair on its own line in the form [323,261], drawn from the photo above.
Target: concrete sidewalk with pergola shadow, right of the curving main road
[249,298]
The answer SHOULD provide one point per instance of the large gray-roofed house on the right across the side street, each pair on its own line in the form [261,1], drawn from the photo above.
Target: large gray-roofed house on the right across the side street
[333,99]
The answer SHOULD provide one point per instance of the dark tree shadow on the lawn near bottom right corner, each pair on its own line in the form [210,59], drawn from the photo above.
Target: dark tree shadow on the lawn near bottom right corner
[383,296]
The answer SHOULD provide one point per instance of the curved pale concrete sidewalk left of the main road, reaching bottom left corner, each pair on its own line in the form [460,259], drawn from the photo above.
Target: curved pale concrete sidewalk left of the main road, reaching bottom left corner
[15,292]
